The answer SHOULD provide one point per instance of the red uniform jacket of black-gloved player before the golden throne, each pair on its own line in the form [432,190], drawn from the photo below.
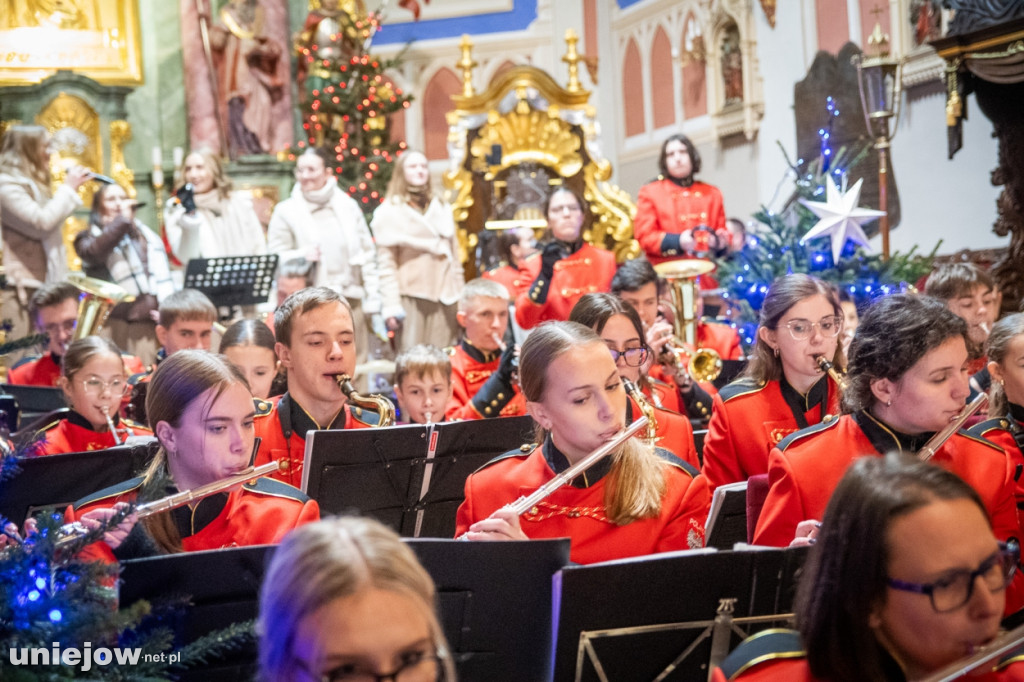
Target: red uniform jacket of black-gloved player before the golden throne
[587,271]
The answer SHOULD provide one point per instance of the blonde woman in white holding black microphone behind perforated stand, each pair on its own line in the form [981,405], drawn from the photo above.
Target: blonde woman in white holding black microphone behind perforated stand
[208,220]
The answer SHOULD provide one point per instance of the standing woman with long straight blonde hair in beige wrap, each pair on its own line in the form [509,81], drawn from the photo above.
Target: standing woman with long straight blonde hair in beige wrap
[418,257]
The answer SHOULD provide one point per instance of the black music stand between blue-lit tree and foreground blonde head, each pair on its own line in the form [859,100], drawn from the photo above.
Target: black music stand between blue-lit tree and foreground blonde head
[221,587]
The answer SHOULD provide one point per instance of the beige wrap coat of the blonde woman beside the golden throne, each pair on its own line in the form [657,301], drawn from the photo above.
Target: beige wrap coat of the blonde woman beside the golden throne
[418,254]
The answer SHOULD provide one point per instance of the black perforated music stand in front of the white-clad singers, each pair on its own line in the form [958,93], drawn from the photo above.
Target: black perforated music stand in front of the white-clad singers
[233,281]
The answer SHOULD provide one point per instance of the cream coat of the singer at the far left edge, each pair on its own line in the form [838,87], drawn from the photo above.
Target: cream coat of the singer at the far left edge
[33,240]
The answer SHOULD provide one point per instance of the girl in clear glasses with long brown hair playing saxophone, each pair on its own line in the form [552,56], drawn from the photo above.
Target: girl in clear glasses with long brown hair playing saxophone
[783,390]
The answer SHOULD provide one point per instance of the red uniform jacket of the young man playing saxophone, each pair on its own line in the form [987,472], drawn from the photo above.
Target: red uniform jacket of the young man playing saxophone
[282,425]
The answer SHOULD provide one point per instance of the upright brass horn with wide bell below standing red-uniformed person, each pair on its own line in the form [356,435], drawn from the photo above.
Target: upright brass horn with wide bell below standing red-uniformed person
[704,364]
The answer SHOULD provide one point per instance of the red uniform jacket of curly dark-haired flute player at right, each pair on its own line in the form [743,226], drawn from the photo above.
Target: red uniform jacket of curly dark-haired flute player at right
[806,467]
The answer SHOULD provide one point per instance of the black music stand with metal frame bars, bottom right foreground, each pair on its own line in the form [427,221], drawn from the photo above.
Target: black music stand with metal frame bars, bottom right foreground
[675,614]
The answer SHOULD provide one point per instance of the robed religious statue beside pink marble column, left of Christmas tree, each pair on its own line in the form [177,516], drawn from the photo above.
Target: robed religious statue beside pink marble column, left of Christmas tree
[248,83]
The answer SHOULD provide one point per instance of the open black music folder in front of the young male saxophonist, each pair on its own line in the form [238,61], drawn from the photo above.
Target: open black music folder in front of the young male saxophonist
[412,478]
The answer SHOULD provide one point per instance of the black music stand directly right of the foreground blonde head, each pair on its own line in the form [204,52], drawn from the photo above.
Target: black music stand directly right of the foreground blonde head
[496,604]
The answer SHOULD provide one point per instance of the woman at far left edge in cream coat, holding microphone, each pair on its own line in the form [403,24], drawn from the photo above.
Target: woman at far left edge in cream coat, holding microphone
[32,217]
